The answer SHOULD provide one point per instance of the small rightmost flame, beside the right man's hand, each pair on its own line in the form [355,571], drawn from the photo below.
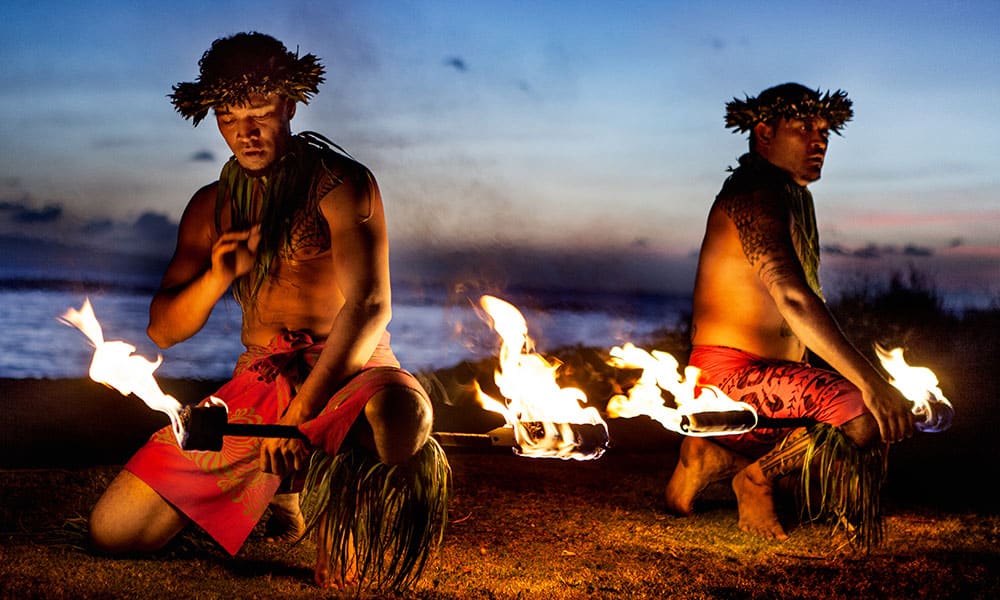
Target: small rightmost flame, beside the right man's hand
[920,386]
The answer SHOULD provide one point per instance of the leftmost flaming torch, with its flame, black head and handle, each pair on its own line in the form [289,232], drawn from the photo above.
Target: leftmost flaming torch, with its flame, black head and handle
[196,428]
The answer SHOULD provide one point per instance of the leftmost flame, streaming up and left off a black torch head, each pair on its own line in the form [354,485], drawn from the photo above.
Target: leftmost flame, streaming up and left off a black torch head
[115,365]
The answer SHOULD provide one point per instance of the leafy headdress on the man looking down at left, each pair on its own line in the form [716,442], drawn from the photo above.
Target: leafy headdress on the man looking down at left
[244,65]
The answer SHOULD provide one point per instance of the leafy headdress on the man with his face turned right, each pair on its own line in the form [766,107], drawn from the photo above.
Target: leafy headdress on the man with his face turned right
[789,101]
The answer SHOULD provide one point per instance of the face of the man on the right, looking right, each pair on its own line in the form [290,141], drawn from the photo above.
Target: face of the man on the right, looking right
[796,145]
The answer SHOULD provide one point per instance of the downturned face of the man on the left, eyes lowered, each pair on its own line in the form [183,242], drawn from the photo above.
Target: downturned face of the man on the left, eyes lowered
[257,132]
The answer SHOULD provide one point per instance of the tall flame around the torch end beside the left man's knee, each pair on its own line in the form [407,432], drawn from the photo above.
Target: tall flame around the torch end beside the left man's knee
[541,413]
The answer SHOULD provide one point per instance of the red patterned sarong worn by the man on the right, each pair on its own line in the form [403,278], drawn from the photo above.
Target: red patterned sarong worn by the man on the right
[775,388]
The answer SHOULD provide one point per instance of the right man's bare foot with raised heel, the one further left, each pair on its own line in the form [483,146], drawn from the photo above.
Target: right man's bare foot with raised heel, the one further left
[701,463]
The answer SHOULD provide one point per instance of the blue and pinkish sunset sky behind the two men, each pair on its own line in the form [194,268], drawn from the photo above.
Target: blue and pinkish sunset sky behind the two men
[590,133]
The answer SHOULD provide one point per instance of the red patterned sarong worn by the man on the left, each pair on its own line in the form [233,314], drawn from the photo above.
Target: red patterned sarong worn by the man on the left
[225,492]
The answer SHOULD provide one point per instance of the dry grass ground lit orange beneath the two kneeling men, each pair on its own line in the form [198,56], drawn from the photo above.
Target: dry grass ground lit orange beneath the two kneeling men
[524,528]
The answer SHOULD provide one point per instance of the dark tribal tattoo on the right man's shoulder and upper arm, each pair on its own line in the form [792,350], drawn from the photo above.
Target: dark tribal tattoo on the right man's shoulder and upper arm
[763,227]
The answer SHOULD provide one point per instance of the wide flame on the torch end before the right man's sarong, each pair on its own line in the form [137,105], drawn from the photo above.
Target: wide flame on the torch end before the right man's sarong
[660,373]
